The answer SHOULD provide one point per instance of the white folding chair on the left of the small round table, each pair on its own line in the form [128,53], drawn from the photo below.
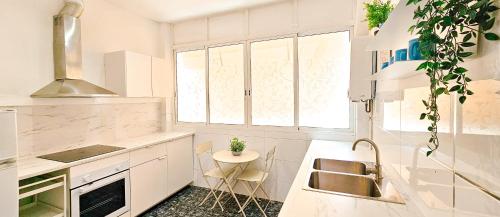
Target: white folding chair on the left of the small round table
[224,171]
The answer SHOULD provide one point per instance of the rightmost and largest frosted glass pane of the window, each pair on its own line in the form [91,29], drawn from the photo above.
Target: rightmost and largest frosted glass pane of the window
[324,63]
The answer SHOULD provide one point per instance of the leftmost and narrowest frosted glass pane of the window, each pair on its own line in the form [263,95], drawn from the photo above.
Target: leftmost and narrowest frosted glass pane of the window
[191,92]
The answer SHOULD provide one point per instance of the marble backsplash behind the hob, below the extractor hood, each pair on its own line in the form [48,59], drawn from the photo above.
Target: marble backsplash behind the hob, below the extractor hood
[48,128]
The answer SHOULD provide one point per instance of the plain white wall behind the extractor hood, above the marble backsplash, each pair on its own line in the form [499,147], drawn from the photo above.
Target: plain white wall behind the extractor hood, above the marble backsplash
[26,62]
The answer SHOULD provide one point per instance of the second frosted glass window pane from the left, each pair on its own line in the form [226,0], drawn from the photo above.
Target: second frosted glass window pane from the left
[226,84]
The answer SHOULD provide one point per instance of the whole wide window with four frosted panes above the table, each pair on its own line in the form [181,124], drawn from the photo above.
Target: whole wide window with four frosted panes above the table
[296,81]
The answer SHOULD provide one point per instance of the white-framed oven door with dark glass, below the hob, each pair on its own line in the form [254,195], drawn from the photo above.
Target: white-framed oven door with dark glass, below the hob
[107,197]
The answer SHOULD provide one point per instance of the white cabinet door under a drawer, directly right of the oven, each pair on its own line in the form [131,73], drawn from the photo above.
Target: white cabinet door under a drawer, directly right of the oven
[148,184]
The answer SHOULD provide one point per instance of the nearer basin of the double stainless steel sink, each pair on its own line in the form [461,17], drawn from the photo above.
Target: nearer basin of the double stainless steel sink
[347,184]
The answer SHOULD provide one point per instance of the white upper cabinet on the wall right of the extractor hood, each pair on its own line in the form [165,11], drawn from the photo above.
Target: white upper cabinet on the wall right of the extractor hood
[132,74]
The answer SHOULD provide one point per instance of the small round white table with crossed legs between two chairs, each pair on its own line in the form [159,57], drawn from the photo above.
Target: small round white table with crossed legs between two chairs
[242,161]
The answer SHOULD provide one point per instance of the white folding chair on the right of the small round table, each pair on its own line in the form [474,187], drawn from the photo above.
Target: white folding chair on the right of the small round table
[258,177]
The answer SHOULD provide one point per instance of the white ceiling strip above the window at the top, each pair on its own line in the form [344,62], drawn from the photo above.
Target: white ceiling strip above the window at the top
[177,10]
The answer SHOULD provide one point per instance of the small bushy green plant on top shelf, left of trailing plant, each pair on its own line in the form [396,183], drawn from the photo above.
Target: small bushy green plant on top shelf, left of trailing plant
[377,12]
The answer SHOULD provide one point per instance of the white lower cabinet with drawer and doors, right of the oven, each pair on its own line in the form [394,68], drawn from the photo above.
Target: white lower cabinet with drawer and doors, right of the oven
[157,172]
